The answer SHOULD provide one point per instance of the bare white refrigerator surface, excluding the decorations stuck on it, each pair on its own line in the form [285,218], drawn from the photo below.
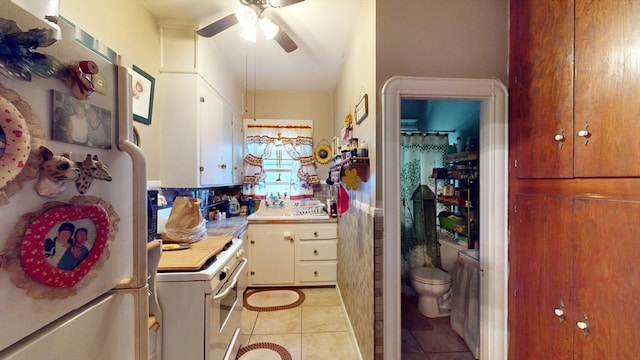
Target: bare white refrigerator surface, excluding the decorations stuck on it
[107,317]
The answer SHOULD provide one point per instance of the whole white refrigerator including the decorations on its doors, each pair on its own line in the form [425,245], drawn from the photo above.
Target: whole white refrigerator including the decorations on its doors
[99,308]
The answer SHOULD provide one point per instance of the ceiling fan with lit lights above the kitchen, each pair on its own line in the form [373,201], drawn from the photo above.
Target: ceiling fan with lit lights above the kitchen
[250,15]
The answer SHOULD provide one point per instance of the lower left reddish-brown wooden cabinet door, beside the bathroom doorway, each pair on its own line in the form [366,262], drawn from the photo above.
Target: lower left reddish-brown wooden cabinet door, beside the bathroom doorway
[541,278]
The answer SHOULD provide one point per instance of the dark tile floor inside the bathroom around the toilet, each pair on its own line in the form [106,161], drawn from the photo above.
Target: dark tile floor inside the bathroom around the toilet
[429,339]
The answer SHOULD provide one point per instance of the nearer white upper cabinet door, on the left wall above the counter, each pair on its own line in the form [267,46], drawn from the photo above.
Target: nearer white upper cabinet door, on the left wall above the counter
[215,139]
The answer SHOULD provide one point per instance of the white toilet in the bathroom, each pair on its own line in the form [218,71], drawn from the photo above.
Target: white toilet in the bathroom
[434,286]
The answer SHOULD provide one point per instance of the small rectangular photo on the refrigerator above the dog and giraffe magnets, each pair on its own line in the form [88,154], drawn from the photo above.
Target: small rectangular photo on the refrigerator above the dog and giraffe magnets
[79,122]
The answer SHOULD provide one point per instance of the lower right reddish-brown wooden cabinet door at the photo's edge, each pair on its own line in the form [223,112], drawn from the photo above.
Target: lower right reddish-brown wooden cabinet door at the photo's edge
[607,279]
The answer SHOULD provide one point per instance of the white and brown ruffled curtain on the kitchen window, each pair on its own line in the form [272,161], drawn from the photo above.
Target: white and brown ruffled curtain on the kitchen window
[264,137]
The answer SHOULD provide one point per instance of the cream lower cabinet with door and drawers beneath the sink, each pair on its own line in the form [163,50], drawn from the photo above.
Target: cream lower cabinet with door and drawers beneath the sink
[292,254]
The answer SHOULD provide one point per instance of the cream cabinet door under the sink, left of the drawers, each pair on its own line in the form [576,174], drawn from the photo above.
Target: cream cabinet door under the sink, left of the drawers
[272,256]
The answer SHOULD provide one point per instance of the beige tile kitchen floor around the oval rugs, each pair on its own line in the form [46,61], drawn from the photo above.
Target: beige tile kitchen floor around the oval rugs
[317,329]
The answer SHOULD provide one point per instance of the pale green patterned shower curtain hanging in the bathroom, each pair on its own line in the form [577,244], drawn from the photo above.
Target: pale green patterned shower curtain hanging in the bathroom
[419,154]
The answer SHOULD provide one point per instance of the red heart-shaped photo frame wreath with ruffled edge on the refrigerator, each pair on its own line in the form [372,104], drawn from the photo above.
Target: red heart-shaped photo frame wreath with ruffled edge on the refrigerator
[29,256]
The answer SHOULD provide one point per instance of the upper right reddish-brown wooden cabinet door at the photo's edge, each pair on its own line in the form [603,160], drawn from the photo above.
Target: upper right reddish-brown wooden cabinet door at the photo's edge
[607,88]
